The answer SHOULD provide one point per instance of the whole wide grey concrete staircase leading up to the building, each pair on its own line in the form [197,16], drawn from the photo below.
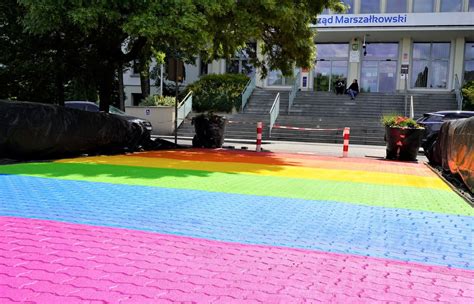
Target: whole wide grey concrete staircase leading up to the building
[327,111]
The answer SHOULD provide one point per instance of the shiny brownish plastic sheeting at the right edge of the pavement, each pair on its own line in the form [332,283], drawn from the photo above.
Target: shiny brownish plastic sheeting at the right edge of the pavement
[454,149]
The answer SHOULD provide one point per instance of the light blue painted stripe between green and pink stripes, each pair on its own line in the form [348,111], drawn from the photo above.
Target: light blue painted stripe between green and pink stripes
[400,234]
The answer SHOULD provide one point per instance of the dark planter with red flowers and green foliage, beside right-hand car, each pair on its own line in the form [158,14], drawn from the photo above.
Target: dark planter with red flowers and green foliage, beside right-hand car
[403,137]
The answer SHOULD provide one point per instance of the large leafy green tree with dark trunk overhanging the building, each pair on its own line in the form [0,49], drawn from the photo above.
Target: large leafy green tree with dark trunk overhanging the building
[115,32]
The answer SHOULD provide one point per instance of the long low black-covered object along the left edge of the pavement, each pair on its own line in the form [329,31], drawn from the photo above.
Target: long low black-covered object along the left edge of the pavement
[33,131]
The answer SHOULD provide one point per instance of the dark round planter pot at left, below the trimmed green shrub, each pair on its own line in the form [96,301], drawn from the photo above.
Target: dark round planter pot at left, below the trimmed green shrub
[209,130]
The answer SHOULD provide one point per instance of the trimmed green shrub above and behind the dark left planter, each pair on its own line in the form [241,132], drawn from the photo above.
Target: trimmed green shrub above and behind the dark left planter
[218,93]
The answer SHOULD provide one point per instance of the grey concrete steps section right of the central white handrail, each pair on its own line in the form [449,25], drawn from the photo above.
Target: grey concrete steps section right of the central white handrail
[327,111]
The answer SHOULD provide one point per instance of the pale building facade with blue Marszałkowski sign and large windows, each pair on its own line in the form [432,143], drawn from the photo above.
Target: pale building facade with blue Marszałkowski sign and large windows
[388,45]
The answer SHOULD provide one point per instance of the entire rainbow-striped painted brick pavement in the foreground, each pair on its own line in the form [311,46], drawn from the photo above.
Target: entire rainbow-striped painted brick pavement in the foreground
[232,227]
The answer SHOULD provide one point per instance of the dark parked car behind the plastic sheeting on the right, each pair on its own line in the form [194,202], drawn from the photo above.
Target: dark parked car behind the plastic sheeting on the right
[432,123]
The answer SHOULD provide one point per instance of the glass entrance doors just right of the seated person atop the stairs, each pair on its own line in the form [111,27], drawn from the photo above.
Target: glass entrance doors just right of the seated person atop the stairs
[379,76]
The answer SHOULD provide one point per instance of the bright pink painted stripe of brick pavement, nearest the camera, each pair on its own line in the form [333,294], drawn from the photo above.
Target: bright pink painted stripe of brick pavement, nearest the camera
[52,262]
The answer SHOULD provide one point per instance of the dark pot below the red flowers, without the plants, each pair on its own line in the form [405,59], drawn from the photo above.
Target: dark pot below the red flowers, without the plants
[403,143]
